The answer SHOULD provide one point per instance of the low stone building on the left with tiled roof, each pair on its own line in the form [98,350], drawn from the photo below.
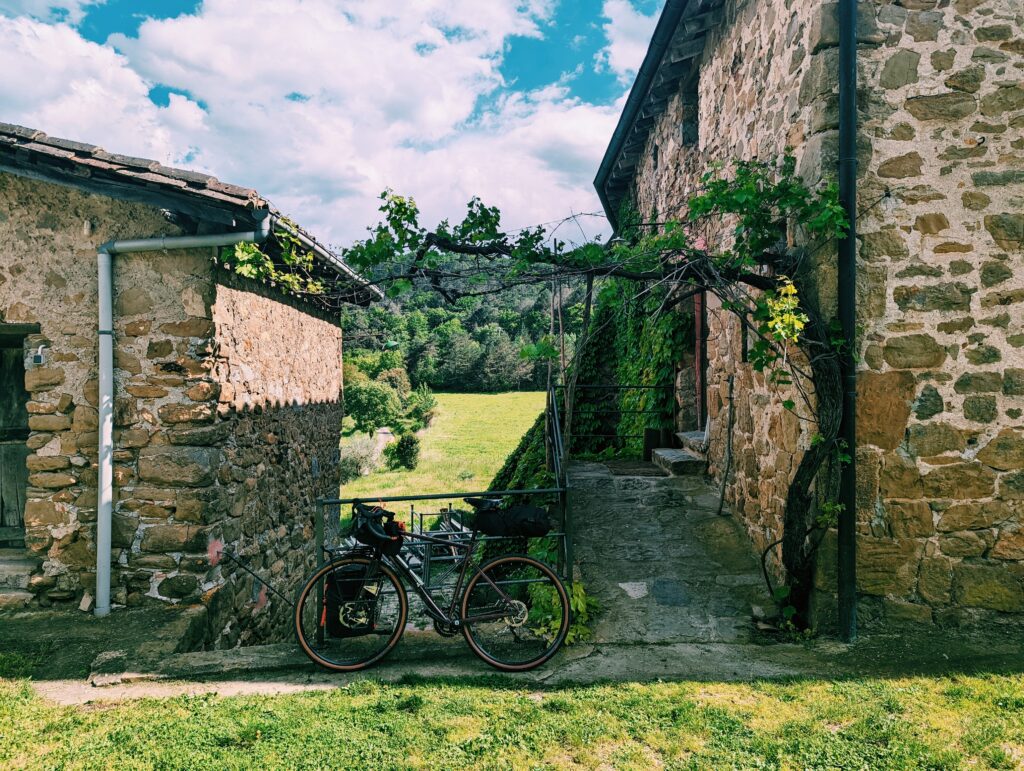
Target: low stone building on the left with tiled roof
[225,405]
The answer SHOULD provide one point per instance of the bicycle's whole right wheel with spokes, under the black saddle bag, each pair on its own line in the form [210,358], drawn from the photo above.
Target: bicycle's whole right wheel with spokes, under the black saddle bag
[516,614]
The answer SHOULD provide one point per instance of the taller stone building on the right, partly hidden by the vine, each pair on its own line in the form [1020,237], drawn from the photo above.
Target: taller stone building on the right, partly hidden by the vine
[941,292]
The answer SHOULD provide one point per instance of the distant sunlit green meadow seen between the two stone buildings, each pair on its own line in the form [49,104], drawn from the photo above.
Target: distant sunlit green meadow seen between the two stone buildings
[463,448]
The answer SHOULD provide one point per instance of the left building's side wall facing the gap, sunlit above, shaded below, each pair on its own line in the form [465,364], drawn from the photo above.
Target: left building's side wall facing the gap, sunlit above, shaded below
[279,375]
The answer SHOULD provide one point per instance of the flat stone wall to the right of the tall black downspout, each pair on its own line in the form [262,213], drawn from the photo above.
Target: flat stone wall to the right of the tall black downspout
[942,457]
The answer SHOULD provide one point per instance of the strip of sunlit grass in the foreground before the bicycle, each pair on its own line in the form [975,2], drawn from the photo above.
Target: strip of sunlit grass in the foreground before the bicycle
[933,723]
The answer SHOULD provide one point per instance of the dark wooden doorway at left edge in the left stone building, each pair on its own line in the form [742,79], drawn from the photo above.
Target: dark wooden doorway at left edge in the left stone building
[14,434]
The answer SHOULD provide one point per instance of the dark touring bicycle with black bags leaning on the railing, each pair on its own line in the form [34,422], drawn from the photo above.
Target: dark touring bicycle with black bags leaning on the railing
[514,611]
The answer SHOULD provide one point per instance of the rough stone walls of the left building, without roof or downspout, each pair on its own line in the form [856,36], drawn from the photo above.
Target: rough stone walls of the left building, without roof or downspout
[227,418]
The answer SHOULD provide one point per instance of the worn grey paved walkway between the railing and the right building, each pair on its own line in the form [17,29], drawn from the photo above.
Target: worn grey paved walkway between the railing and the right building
[665,567]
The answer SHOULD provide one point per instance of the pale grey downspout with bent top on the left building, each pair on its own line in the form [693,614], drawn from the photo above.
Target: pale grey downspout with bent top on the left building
[105,262]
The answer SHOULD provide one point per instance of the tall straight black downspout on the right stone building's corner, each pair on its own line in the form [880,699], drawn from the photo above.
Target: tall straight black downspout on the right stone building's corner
[847,291]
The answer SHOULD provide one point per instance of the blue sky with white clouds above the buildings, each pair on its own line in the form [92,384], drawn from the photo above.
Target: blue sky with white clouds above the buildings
[322,104]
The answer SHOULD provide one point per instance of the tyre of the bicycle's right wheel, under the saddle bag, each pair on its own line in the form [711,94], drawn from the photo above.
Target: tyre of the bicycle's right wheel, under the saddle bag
[501,570]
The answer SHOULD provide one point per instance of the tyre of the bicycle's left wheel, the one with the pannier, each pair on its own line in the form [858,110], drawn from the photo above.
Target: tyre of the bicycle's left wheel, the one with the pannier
[316,651]
